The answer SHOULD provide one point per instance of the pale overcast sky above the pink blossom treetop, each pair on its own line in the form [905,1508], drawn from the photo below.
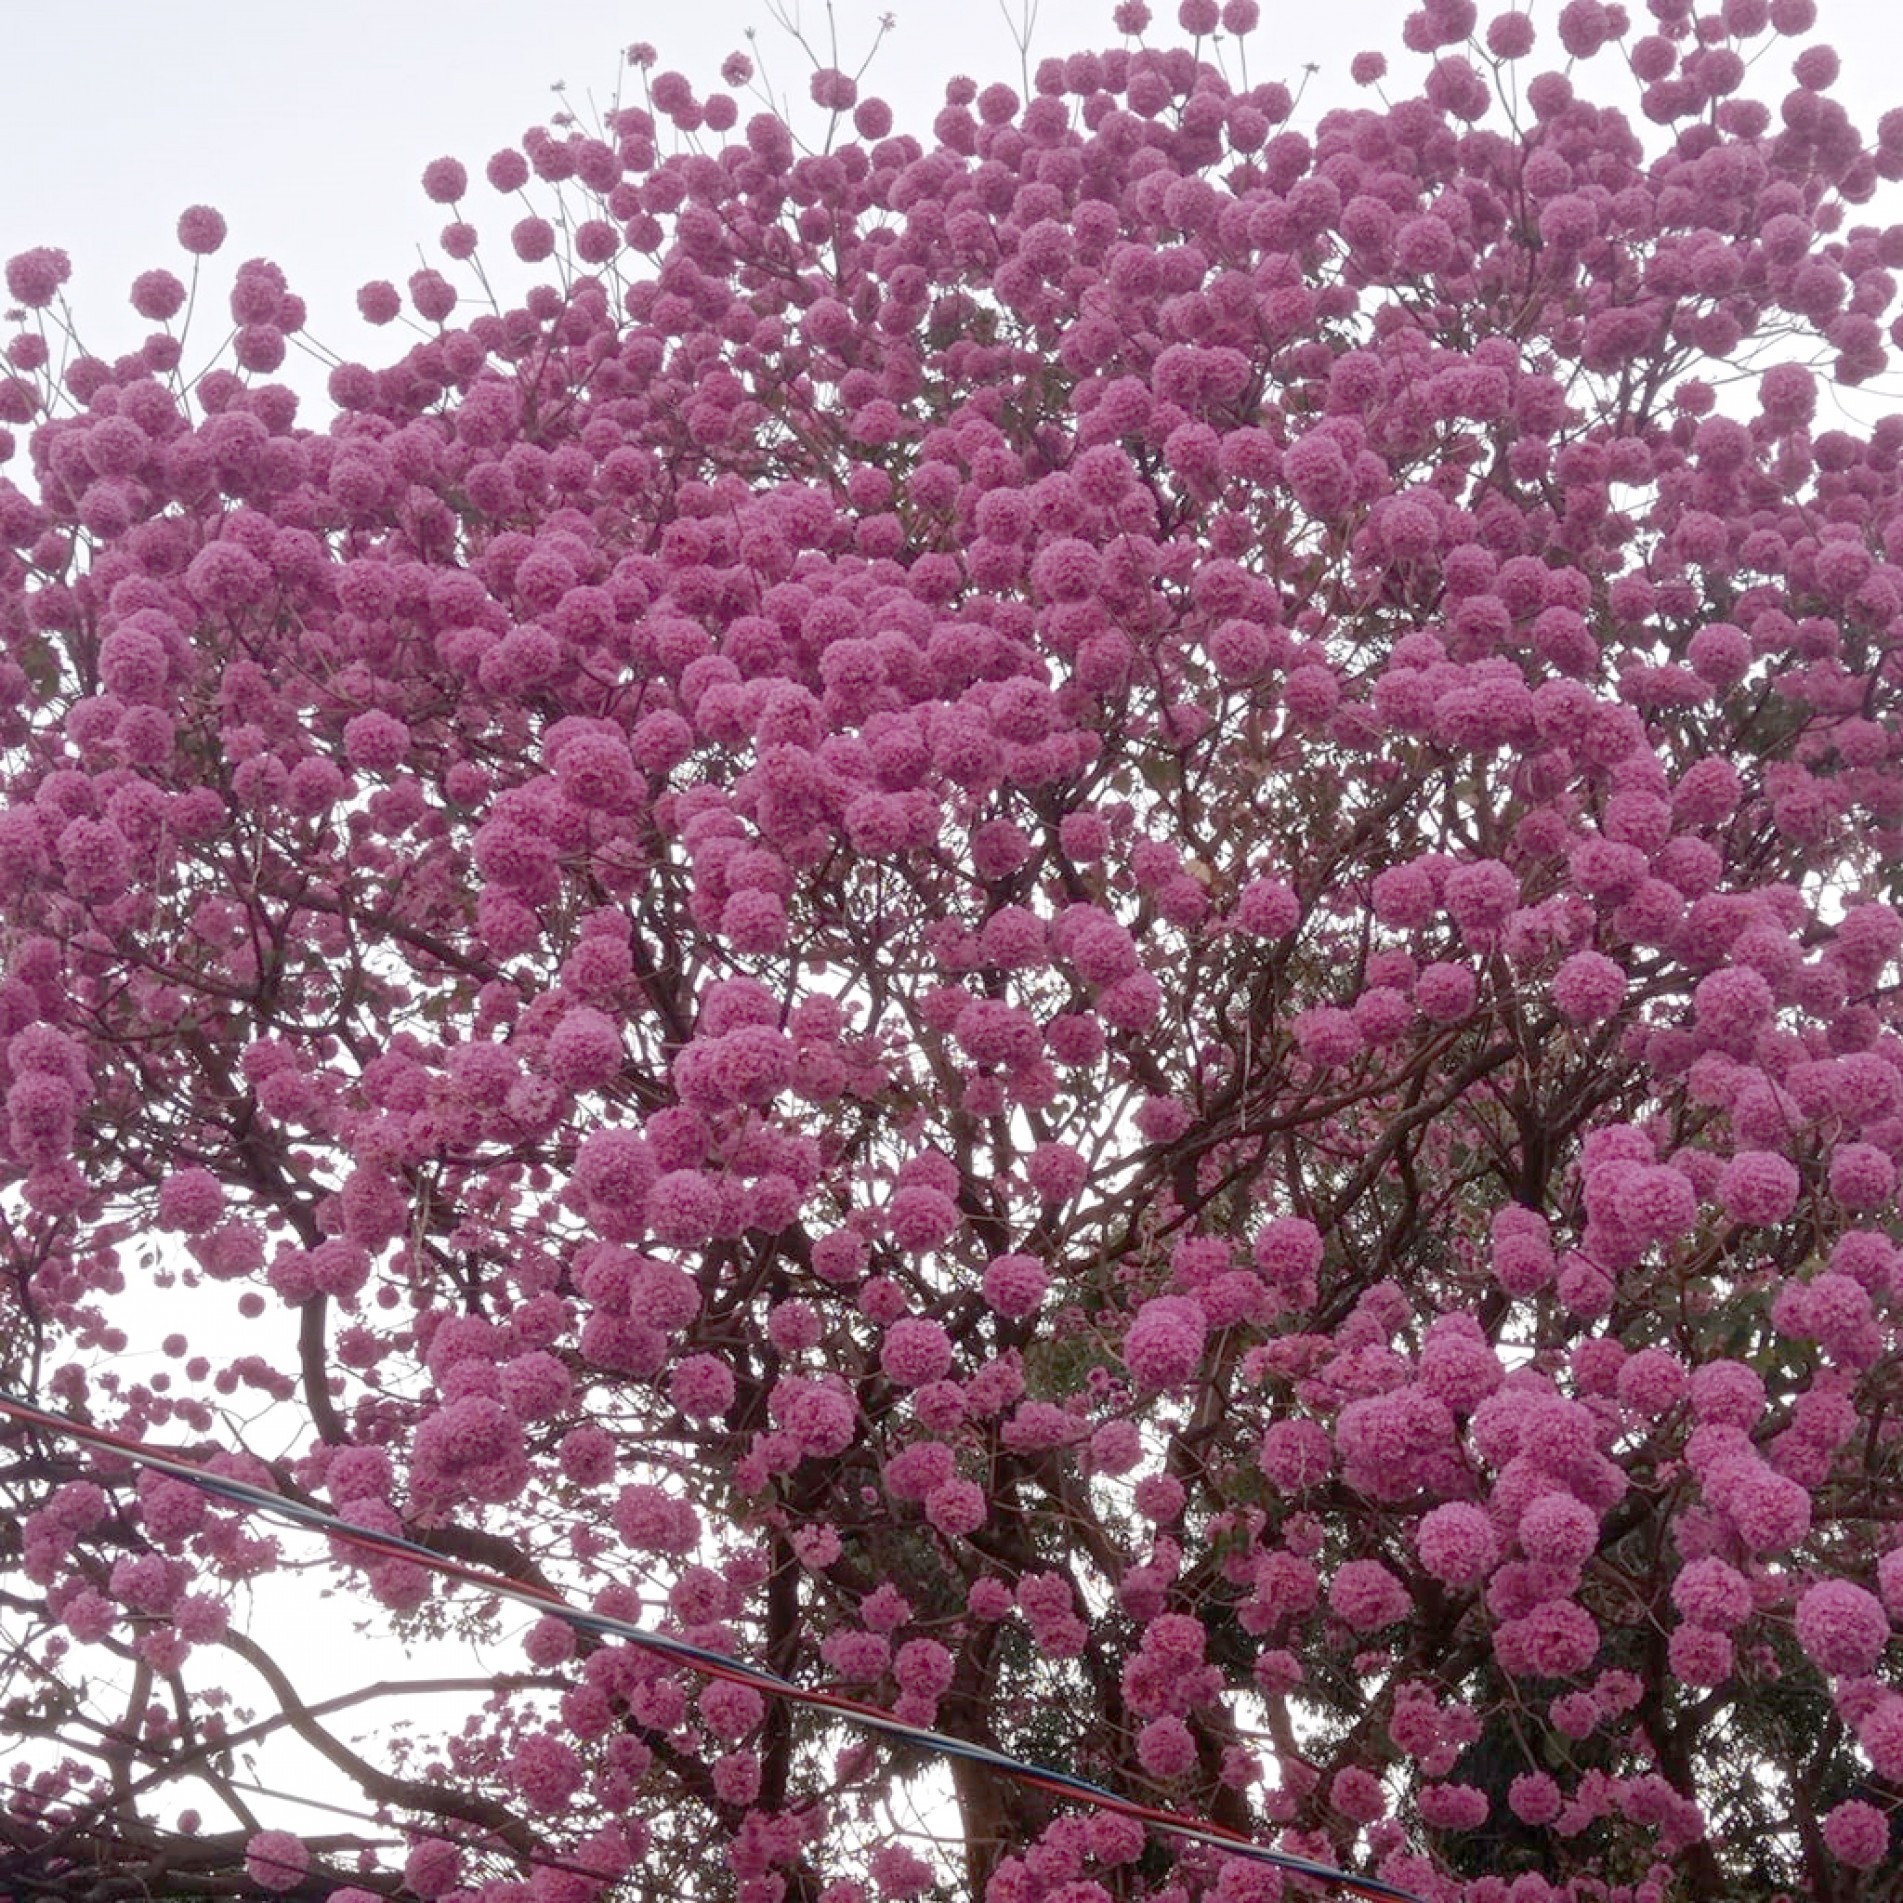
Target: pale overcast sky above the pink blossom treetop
[309,127]
